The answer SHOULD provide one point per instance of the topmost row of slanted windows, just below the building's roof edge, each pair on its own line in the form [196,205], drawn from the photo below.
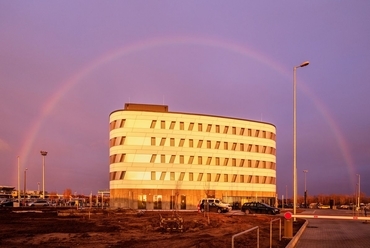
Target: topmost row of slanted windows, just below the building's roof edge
[211,128]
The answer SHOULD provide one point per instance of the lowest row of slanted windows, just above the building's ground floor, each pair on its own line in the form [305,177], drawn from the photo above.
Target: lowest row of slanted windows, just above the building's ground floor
[201,177]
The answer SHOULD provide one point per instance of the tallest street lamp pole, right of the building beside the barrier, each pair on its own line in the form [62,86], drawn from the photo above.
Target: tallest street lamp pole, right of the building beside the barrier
[295,136]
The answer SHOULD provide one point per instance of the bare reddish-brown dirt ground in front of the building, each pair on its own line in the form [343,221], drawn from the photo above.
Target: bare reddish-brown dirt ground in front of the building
[130,228]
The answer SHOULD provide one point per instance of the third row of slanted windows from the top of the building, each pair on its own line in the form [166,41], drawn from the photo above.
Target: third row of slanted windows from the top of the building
[201,160]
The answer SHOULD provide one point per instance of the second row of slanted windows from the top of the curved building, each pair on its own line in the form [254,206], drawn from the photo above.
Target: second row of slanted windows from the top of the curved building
[209,144]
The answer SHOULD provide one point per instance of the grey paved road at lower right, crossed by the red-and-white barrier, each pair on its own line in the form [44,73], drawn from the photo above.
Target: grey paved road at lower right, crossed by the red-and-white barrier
[334,233]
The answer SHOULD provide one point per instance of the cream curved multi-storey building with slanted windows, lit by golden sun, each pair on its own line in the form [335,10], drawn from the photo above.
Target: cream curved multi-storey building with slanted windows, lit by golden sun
[166,160]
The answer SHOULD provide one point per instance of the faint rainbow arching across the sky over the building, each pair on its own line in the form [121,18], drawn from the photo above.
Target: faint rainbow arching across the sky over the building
[179,40]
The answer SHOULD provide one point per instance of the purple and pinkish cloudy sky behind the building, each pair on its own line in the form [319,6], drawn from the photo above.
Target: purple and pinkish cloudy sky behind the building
[65,66]
